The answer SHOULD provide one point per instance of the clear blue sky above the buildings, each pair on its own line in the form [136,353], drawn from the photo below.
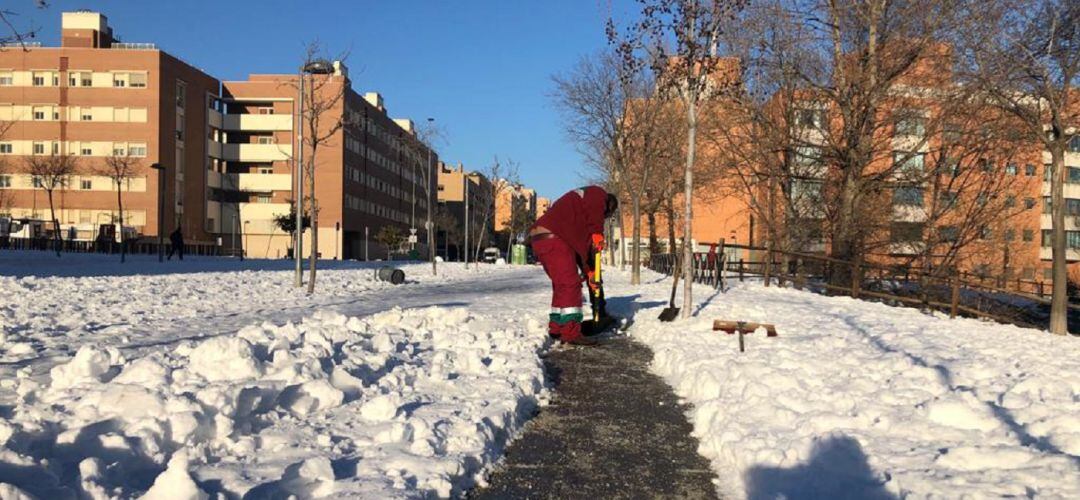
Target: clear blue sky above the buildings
[482,70]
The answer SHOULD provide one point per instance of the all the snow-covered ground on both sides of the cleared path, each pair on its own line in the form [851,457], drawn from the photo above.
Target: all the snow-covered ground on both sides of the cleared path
[218,376]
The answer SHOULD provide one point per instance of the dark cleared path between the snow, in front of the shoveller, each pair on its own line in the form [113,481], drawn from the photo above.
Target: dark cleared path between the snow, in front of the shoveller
[614,430]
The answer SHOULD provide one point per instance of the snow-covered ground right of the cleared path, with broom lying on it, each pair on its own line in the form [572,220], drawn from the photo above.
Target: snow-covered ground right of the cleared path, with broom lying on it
[860,400]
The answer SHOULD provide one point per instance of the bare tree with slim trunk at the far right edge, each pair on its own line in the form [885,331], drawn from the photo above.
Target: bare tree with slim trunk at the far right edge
[1028,61]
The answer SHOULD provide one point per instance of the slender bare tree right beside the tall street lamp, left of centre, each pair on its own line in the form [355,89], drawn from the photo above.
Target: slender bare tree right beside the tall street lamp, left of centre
[322,119]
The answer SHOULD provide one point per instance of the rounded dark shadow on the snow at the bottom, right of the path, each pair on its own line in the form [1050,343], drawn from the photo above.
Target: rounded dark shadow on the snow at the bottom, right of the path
[838,469]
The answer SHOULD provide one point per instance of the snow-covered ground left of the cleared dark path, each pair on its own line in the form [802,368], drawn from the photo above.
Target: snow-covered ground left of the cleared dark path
[217,376]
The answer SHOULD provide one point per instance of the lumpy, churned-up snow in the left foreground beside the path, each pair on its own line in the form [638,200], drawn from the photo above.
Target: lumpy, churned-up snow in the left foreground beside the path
[400,403]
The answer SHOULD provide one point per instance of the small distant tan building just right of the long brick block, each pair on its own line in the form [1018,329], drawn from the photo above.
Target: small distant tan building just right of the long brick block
[455,184]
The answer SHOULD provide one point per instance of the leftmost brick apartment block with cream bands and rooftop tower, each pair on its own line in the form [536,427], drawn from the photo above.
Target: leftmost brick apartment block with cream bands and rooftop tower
[94,98]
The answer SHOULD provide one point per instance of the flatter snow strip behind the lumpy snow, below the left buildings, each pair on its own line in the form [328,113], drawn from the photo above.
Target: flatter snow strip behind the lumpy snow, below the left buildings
[52,307]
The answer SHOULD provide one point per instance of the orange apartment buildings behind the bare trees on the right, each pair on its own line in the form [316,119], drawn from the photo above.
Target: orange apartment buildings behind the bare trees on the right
[1011,240]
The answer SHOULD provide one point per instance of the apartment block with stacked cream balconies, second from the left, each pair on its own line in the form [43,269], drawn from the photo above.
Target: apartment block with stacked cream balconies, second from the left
[371,173]
